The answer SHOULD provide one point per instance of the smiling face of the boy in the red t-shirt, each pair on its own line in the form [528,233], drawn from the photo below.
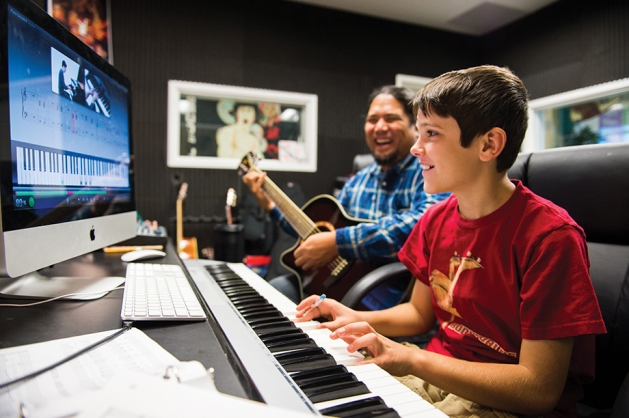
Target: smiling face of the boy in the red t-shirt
[447,166]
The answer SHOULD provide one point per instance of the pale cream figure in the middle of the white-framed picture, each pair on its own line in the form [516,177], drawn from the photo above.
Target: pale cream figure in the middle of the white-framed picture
[243,134]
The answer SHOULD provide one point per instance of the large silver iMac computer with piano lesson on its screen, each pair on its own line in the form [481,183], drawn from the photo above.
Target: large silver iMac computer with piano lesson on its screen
[66,171]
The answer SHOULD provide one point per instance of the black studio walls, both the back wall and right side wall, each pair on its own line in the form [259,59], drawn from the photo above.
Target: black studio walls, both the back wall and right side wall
[279,45]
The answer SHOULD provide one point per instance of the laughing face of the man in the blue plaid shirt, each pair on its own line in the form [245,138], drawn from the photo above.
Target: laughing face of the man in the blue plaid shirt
[388,131]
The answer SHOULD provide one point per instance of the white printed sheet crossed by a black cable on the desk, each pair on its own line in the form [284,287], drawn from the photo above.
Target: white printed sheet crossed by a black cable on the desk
[54,393]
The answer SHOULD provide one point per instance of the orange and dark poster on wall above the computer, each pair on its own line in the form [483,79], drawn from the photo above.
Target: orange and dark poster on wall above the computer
[88,20]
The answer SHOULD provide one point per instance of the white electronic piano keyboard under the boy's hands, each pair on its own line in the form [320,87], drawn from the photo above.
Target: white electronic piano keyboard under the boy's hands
[256,319]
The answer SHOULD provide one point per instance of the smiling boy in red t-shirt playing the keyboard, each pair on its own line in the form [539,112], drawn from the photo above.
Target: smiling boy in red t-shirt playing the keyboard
[504,272]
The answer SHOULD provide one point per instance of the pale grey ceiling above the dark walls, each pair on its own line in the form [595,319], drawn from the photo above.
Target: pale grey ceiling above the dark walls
[469,17]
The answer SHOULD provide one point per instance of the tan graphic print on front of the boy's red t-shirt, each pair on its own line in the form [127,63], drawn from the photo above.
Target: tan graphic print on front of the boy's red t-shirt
[443,289]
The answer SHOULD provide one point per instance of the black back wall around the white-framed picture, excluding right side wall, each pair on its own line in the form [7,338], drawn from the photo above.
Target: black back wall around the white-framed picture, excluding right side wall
[266,44]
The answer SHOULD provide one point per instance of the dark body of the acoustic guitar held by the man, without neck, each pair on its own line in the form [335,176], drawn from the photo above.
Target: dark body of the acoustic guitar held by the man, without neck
[328,215]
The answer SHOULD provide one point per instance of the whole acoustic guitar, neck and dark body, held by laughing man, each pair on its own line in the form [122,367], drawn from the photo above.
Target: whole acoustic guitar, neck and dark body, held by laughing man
[320,214]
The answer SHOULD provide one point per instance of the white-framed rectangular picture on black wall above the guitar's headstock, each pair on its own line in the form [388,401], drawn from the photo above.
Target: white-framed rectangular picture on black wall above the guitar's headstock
[215,126]
